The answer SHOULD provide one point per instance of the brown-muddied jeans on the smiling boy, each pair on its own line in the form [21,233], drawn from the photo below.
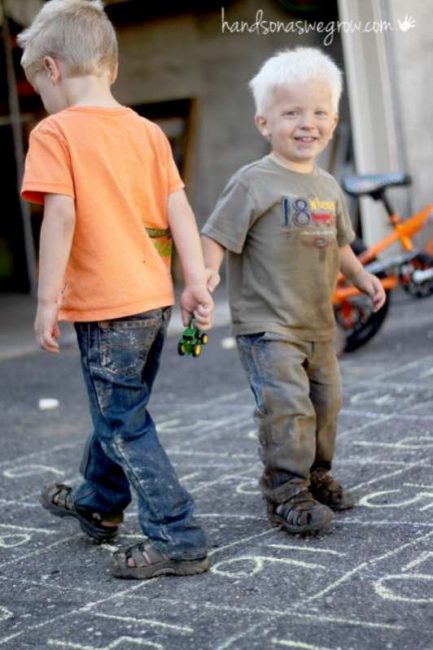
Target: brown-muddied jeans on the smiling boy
[297,389]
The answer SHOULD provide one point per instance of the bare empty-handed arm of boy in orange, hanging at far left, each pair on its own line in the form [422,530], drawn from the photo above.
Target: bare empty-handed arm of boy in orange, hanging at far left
[55,245]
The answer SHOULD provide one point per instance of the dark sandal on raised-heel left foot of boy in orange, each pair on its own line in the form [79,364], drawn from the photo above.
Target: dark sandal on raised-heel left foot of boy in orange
[58,499]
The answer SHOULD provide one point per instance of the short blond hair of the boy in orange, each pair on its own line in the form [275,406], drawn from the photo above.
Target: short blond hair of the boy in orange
[77,32]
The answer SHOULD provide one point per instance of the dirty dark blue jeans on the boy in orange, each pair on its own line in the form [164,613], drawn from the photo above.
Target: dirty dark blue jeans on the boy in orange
[120,359]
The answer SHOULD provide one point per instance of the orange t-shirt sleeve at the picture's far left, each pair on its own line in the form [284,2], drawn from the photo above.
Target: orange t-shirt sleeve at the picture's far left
[47,166]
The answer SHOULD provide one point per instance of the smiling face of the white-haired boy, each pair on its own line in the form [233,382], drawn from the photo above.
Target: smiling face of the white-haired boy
[299,123]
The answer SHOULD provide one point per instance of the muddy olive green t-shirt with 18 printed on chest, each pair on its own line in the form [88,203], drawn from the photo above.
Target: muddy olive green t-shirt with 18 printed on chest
[282,230]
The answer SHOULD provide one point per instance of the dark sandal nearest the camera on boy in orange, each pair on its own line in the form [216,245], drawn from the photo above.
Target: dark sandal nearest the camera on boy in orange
[151,563]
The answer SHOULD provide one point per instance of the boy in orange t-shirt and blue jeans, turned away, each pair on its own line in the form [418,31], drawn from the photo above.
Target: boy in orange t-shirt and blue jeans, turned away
[112,198]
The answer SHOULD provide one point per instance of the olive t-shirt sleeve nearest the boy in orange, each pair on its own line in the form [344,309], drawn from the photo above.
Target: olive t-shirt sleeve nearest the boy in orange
[232,217]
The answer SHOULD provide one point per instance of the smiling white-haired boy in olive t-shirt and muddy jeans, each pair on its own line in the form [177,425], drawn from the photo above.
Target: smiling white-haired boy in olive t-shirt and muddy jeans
[285,226]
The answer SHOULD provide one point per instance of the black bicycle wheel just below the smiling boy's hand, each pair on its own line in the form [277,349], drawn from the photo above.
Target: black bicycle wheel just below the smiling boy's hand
[357,322]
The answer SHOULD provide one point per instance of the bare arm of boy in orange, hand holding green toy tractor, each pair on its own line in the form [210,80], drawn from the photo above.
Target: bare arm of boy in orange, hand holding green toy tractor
[195,298]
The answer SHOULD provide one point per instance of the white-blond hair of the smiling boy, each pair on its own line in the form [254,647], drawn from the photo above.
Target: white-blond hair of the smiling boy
[291,67]
